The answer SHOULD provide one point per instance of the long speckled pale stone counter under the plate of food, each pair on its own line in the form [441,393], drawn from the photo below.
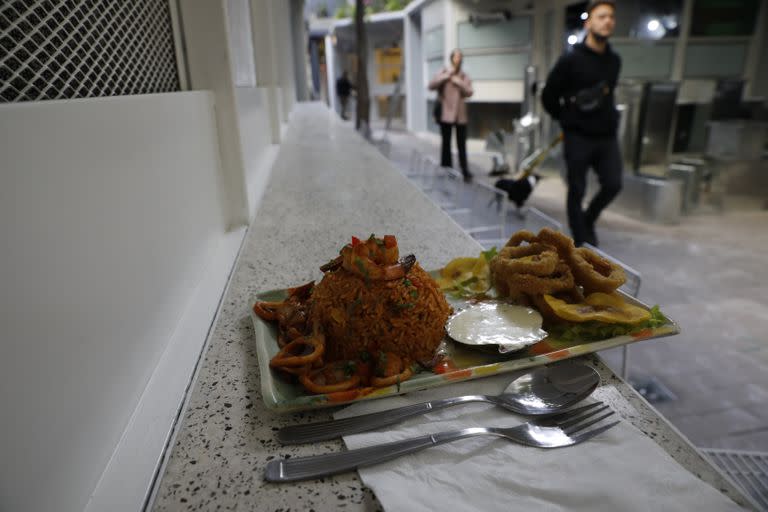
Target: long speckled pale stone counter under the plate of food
[327,184]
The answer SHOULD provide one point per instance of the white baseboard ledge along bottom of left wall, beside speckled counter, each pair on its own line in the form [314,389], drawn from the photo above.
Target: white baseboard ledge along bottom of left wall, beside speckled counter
[128,477]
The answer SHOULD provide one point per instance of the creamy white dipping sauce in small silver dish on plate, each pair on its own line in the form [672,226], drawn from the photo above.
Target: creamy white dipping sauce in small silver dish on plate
[496,323]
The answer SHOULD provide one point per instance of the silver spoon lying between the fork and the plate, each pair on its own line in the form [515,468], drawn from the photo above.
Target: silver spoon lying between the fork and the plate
[542,391]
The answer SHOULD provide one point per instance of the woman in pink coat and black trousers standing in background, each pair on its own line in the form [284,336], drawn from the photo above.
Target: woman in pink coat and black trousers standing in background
[454,87]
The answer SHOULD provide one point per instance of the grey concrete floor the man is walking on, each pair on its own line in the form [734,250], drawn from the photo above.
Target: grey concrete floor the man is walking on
[709,274]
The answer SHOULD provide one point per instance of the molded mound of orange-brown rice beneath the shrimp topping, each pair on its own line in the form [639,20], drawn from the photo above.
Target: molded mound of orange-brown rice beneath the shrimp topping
[363,317]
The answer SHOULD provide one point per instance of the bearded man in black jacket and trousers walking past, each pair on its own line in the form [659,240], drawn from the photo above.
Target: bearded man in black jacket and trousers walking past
[579,94]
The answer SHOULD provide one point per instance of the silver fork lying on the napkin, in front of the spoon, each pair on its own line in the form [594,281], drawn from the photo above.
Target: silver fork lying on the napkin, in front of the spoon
[565,429]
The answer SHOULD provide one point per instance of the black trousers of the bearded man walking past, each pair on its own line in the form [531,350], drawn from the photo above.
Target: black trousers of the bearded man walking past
[601,154]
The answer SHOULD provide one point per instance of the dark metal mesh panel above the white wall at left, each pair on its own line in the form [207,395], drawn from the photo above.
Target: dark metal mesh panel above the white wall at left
[54,49]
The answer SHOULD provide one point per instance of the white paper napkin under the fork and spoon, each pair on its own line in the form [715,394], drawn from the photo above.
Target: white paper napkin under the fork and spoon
[622,469]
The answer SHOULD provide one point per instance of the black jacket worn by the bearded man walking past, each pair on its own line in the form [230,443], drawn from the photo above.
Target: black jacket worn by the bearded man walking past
[578,70]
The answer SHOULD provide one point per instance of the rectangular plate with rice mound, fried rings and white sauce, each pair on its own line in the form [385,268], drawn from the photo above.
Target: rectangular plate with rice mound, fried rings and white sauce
[377,325]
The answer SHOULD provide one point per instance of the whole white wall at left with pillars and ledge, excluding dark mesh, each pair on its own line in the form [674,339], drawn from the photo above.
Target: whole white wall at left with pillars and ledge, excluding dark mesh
[121,219]
